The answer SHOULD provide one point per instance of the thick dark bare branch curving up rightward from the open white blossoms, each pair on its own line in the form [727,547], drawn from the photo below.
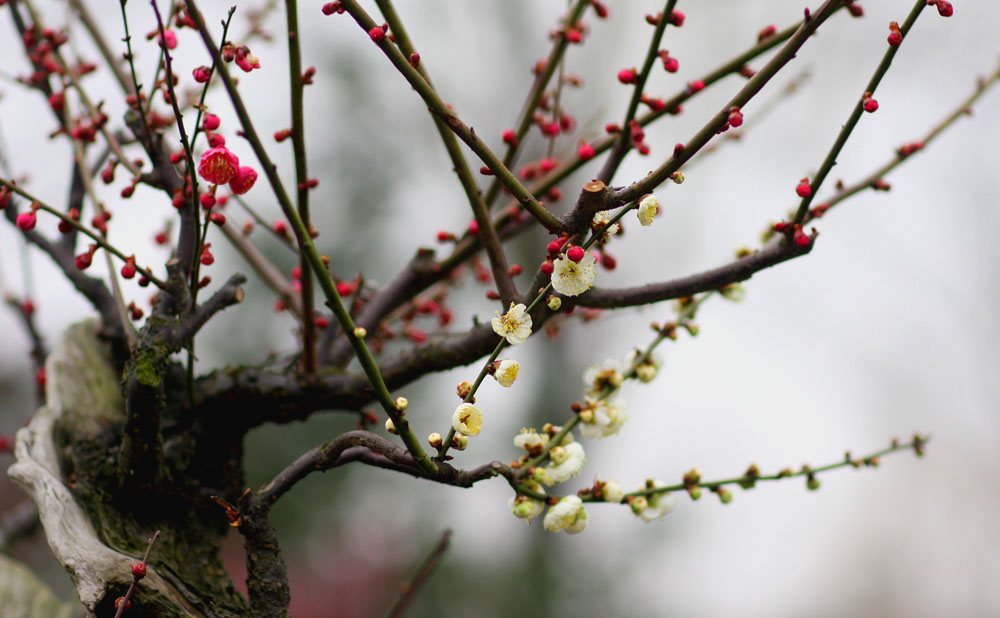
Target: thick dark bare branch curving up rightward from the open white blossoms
[740,270]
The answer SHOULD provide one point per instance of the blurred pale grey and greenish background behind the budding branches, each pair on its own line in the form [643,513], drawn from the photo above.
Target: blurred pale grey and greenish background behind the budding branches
[886,328]
